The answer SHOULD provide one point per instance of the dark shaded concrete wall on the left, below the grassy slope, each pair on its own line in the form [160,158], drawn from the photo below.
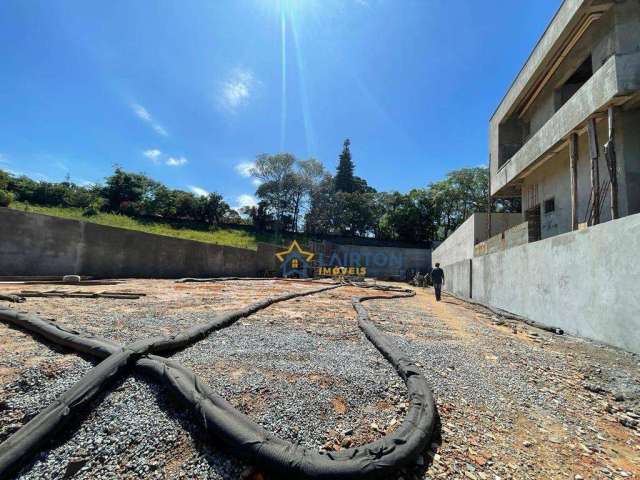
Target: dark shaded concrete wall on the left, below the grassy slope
[34,244]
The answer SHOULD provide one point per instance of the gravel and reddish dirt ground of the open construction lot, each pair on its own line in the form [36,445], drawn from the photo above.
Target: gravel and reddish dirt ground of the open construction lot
[514,401]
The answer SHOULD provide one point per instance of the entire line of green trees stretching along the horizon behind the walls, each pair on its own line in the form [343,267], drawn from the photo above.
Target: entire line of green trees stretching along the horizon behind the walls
[295,196]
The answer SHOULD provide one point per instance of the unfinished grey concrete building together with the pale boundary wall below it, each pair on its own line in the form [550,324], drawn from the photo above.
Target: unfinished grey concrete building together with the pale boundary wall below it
[566,140]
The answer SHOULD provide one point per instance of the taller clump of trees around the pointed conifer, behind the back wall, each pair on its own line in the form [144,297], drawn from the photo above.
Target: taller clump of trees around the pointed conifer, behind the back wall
[302,196]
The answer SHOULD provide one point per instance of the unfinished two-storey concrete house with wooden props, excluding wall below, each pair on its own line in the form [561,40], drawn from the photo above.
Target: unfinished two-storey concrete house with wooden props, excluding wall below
[566,136]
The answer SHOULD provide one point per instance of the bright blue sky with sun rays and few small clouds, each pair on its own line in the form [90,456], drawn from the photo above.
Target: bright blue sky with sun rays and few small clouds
[190,92]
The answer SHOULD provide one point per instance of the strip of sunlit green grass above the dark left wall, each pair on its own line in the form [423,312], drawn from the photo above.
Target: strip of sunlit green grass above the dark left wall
[191,231]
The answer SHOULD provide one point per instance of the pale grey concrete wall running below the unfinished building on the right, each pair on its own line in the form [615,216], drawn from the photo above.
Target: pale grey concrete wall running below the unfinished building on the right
[585,282]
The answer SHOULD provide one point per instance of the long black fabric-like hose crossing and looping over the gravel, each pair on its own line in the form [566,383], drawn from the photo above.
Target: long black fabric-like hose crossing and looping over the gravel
[248,439]
